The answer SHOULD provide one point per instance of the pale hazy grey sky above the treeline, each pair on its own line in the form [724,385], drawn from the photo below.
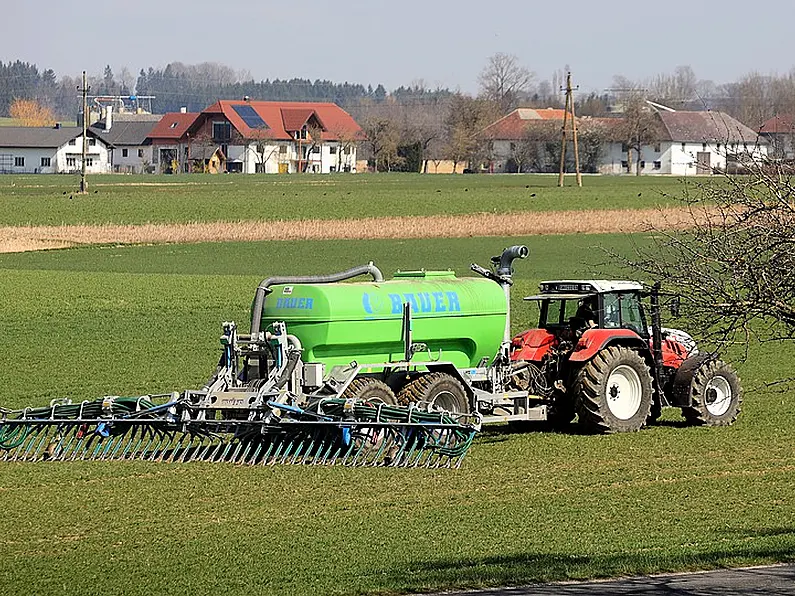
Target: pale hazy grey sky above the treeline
[441,42]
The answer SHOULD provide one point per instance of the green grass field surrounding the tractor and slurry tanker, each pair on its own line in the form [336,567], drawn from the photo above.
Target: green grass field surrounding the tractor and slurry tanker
[524,507]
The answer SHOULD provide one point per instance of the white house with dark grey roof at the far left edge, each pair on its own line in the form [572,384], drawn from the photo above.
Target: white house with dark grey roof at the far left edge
[45,150]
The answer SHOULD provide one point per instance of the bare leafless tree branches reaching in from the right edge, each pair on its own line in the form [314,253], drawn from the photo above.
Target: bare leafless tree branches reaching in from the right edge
[735,267]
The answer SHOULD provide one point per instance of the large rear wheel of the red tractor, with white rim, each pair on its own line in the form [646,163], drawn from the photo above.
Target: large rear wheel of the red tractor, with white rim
[614,391]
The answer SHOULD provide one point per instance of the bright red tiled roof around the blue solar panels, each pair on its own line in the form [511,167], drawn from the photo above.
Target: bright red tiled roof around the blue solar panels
[284,117]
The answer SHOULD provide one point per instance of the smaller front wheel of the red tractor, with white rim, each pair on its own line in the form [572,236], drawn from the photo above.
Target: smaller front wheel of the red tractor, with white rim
[715,392]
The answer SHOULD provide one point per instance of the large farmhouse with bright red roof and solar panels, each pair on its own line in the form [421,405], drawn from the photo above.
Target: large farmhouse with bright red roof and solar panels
[271,137]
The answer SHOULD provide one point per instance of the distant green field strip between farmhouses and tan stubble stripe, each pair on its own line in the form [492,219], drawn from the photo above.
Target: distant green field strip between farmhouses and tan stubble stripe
[52,200]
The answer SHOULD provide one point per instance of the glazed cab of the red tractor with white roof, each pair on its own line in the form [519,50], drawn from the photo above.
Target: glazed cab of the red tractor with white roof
[570,307]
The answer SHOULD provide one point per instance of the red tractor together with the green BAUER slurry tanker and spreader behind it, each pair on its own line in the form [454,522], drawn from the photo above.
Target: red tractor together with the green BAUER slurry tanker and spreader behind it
[398,373]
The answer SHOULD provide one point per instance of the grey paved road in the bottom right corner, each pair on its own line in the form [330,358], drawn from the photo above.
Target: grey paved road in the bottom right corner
[778,580]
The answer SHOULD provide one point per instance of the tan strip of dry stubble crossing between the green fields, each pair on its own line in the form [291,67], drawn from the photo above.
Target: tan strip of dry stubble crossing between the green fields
[25,238]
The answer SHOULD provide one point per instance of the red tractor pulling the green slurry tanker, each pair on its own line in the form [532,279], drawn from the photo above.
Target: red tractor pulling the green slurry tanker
[593,355]
